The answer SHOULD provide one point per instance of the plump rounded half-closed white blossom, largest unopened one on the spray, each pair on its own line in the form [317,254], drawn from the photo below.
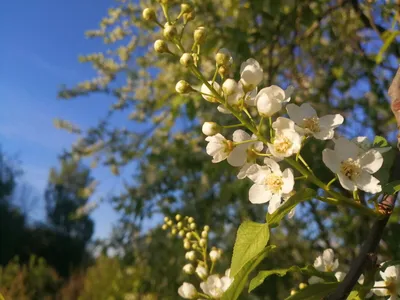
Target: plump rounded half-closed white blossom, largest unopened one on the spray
[269,100]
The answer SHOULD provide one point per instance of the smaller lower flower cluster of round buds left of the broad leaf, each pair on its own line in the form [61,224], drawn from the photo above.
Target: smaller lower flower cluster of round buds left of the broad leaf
[201,260]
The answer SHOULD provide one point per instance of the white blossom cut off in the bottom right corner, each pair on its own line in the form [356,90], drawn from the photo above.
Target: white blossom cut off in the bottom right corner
[390,286]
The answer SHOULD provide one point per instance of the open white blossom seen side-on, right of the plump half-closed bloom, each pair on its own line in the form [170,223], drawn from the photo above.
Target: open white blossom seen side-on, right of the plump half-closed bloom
[309,123]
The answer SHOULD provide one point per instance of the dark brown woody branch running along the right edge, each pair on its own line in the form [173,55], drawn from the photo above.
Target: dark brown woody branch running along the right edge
[367,256]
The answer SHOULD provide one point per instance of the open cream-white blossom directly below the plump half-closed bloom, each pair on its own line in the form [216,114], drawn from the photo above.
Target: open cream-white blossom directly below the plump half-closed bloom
[286,142]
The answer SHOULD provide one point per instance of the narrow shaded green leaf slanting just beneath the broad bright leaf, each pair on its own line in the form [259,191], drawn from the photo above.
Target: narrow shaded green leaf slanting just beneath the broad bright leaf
[240,279]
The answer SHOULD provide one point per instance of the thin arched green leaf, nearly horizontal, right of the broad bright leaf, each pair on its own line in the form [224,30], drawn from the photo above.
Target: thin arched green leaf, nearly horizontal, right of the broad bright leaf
[308,270]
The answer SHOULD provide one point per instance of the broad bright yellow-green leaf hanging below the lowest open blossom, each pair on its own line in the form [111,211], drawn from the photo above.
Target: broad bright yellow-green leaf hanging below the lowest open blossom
[251,238]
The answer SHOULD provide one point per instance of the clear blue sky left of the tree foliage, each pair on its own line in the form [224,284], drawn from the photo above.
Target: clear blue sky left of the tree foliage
[40,42]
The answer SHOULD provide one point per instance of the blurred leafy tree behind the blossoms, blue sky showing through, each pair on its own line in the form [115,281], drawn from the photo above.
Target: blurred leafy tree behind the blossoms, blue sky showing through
[330,51]
